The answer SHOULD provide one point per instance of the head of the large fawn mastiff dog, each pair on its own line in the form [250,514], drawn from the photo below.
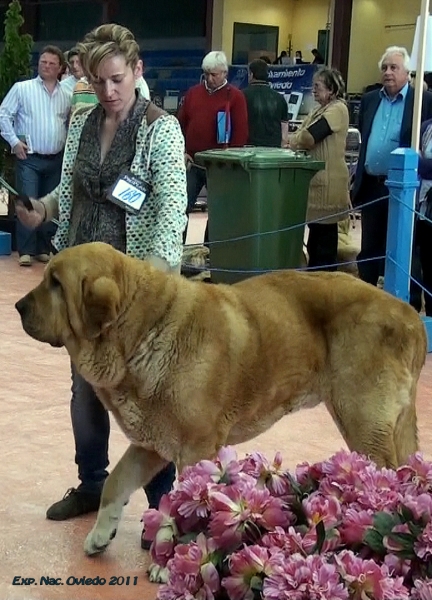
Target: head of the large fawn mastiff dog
[78,298]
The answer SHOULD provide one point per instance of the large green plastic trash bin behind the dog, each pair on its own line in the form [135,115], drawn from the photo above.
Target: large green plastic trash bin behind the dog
[253,193]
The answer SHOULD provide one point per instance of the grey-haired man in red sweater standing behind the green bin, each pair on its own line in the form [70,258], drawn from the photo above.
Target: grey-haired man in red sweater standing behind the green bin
[208,107]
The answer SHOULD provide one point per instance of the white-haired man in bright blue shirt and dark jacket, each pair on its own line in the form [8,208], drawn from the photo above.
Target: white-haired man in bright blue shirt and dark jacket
[385,122]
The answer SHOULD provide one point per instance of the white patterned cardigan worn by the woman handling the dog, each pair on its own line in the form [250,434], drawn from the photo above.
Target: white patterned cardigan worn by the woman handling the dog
[159,159]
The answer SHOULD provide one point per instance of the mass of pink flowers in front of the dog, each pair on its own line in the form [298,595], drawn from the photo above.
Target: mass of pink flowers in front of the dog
[341,529]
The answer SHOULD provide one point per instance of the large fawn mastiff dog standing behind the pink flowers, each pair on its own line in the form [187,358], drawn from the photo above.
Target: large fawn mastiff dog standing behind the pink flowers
[187,367]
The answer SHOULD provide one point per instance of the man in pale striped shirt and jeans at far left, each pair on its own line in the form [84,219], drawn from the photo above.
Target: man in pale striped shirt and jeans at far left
[33,118]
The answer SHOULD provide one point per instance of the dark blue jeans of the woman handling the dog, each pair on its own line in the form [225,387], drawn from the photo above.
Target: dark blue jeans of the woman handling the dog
[91,428]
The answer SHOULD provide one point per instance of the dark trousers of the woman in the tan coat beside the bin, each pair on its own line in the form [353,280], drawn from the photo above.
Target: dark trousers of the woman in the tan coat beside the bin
[322,246]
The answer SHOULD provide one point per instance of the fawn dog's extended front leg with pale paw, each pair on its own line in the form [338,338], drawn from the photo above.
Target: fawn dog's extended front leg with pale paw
[136,468]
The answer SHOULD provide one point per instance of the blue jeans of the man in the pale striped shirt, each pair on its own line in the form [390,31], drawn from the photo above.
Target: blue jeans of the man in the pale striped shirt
[36,176]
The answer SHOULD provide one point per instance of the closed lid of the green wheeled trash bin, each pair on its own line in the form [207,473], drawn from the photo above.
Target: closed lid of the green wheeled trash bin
[260,157]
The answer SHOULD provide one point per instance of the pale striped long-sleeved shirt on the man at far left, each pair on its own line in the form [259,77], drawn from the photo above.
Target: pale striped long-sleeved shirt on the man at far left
[31,112]
